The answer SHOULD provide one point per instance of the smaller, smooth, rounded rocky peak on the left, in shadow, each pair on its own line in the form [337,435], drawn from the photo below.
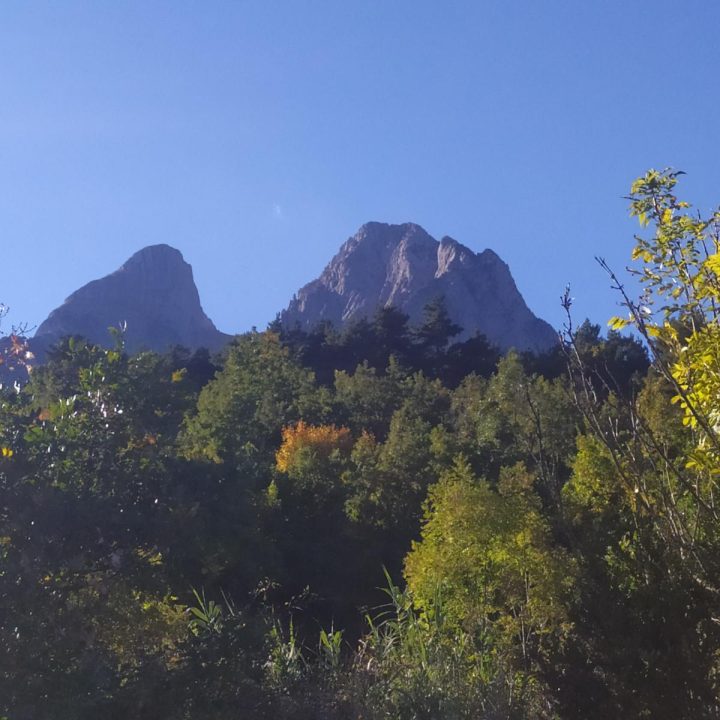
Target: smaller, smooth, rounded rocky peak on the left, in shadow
[153,294]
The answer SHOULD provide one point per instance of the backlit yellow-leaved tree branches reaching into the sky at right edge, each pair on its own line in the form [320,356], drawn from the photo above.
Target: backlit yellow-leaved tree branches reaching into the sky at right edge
[678,315]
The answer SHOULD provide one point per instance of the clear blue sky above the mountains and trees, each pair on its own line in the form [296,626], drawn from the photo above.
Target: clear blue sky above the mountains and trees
[256,136]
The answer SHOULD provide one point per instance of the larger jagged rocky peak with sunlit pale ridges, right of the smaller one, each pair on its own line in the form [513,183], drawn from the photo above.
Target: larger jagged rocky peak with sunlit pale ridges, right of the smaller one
[403,266]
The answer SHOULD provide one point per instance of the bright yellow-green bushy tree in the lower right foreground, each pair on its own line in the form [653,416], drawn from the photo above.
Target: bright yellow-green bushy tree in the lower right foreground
[488,553]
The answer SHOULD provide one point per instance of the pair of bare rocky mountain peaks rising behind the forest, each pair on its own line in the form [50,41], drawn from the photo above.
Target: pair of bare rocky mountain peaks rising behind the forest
[154,298]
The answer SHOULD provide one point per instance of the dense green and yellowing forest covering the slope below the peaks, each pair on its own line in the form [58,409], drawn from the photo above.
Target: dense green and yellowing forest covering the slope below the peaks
[378,522]
